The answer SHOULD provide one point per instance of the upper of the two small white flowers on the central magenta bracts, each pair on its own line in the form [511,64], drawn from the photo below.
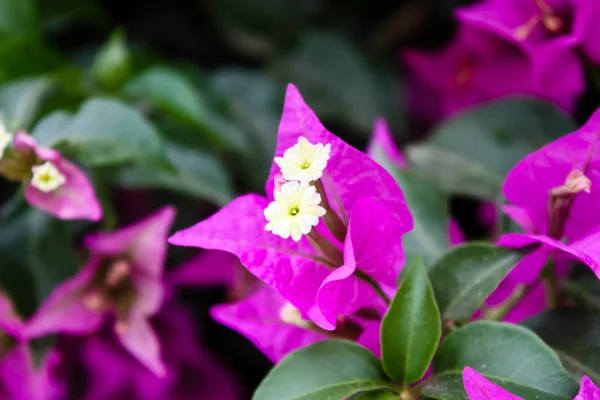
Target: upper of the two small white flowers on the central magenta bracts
[304,161]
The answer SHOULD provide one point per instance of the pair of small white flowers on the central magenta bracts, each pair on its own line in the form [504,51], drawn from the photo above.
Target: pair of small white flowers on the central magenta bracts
[296,208]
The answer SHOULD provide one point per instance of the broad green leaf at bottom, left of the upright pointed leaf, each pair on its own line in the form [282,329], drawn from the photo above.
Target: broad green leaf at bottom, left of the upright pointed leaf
[331,369]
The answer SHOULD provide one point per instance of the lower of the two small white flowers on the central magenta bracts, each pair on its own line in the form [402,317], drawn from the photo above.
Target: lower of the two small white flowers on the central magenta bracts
[295,210]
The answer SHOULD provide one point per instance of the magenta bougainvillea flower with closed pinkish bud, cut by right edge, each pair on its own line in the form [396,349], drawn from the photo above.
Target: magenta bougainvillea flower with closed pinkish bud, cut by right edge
[552,197]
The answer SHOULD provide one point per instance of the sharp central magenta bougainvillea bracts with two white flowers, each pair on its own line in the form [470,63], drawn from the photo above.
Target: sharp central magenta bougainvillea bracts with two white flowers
[281,240]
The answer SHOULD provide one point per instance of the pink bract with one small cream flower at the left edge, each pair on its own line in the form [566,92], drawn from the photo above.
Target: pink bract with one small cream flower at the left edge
[54,184]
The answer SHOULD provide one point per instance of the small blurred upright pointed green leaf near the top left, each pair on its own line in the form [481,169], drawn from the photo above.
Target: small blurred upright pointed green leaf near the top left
[112,65]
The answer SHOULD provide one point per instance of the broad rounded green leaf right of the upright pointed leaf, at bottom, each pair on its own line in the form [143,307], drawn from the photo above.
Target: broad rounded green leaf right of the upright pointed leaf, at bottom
[509,355]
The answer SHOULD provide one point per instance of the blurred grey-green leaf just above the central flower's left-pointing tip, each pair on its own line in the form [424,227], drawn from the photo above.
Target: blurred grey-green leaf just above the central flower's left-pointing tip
[195,173]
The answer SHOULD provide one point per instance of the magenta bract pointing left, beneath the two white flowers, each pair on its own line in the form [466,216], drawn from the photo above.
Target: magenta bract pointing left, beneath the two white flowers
[291,268]
